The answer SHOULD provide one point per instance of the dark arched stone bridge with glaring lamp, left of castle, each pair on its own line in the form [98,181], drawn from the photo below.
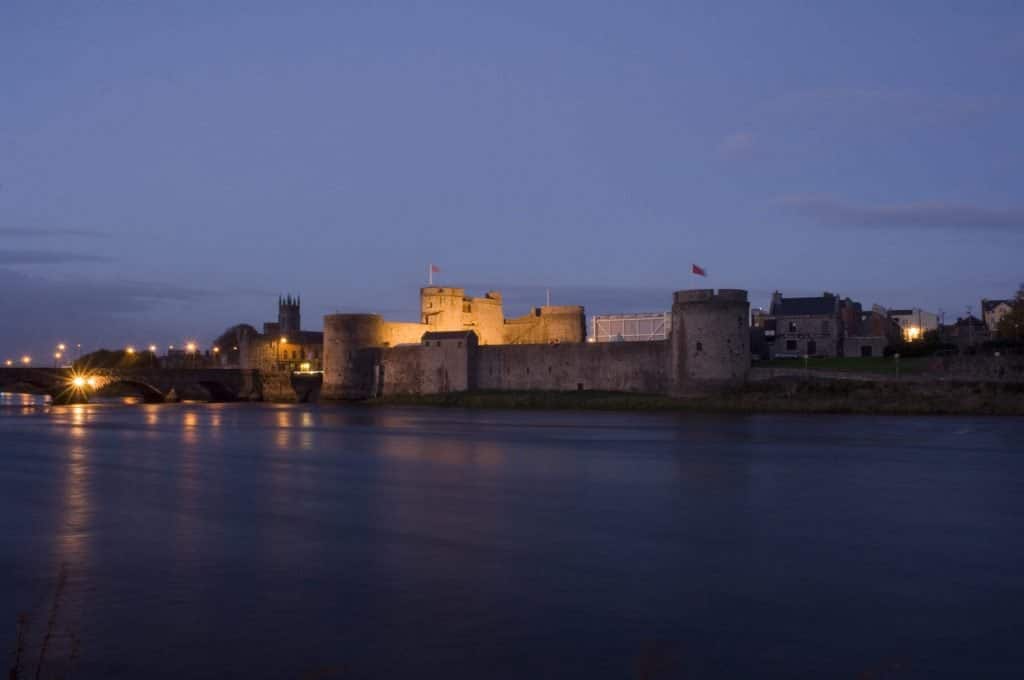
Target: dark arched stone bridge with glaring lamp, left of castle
[155,386]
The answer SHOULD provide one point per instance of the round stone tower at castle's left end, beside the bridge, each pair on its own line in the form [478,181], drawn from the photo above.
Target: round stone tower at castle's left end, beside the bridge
[350,364]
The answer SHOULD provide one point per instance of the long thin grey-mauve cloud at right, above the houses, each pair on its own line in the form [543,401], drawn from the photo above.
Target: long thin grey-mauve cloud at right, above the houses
[833,212]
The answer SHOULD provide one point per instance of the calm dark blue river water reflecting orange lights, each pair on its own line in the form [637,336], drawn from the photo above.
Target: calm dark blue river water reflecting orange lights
[241,541]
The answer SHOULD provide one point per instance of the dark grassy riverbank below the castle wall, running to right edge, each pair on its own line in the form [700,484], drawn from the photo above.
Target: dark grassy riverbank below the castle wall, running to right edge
[776,397]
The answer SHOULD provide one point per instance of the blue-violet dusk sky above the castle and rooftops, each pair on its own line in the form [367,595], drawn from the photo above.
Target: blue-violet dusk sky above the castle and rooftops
[168,169]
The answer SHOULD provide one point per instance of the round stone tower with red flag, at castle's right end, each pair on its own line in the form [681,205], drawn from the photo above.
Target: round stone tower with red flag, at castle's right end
[711,339]
